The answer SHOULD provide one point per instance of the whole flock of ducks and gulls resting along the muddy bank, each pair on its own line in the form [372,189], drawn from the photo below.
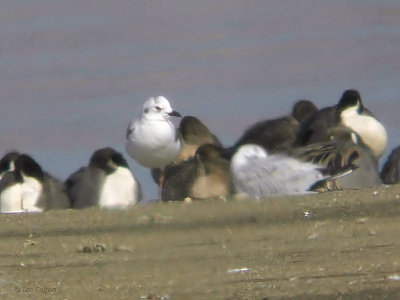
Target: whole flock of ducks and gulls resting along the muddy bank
[309,151]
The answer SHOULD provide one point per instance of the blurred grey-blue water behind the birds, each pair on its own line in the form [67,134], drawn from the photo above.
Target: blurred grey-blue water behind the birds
[74,73]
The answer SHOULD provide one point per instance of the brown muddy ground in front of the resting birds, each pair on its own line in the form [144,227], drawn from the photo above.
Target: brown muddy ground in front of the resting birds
[337,245]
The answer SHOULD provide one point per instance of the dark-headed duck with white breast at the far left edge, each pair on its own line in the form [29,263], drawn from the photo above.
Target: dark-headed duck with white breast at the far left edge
[21,190]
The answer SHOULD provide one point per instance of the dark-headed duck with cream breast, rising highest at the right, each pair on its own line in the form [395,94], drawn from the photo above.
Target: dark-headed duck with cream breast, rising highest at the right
[351,113]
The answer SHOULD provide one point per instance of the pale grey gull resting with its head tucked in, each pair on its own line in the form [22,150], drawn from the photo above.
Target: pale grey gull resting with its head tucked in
[257,174]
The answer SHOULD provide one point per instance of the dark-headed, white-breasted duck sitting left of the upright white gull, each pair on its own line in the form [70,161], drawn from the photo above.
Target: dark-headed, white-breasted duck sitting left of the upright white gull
[106,182]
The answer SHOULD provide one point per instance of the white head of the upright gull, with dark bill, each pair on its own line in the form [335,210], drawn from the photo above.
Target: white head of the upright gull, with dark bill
[158,108]
